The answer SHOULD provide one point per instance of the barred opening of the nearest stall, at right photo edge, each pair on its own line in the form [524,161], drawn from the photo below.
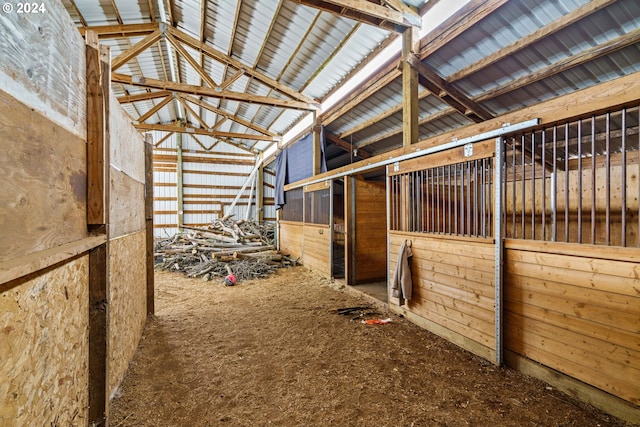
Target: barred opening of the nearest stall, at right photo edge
[575,181]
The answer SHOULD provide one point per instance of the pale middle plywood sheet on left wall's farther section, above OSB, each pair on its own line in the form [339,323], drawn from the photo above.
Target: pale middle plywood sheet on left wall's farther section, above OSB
[126,204]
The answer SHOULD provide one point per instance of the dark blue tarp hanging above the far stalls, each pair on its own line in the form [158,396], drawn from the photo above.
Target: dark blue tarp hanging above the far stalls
[294,163]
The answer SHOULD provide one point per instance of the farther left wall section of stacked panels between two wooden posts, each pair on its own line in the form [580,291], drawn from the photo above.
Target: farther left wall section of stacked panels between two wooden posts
[127,243]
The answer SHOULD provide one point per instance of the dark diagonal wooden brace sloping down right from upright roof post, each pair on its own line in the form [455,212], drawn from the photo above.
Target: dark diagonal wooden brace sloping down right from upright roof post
[430,79]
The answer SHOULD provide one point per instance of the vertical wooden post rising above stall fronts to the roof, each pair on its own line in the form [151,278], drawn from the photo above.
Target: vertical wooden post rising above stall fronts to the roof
[410,130]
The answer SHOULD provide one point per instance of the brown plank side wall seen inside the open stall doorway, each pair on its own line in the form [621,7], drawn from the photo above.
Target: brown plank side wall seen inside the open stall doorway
[370,231]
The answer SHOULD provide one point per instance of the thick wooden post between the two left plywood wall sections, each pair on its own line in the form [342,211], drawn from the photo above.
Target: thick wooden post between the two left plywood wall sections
[98,86]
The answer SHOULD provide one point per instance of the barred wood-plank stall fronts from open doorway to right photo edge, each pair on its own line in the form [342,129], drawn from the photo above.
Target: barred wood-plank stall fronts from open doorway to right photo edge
[529,257]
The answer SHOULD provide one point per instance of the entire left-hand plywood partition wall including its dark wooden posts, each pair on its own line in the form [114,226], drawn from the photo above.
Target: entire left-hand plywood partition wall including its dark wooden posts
[74,270]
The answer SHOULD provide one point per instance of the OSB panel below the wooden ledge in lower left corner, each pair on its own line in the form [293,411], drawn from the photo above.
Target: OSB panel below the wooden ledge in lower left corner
[44,341]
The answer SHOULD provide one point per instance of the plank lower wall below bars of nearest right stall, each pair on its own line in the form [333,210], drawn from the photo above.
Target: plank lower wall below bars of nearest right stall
[575,312]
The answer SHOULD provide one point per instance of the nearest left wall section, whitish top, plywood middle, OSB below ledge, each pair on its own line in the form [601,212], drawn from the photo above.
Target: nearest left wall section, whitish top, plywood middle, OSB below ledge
[44,239]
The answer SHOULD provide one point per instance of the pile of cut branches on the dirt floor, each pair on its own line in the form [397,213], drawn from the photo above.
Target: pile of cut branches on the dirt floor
[246,247]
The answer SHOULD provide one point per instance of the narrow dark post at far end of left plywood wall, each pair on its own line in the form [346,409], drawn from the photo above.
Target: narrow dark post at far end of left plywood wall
[148,212]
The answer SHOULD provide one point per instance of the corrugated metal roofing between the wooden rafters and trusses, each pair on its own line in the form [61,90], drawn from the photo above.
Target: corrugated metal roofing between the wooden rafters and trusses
[312,52]
